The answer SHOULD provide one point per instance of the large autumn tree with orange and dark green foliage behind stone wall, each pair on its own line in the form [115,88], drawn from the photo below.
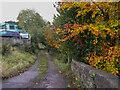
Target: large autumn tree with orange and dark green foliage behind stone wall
[89,32]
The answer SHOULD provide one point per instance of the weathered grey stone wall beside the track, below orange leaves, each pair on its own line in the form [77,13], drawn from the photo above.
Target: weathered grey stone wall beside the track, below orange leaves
[90,77]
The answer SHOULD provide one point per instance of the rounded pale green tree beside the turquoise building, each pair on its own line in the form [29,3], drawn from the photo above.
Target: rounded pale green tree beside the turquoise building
[34,24]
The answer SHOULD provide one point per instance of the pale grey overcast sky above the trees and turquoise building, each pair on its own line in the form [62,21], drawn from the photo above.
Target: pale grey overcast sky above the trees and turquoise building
[10,10]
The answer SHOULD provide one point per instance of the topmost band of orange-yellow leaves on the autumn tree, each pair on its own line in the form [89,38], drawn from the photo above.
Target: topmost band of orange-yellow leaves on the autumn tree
[96,8]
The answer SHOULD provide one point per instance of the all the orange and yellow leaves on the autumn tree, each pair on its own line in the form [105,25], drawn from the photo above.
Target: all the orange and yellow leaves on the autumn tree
[97,30]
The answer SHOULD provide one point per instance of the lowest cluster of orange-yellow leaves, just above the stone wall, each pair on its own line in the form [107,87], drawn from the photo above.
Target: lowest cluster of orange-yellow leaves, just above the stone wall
[107,61]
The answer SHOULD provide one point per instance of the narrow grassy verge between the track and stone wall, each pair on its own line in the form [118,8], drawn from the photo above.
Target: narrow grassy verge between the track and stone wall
[66,70]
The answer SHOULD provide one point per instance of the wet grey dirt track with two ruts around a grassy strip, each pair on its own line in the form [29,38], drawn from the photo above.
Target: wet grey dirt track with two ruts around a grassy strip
[53,79]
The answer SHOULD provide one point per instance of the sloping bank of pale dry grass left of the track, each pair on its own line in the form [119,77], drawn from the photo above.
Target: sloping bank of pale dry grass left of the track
[15,63]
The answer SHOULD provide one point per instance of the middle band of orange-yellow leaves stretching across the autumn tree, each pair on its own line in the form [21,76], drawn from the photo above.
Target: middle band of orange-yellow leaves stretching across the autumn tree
[74,30]
